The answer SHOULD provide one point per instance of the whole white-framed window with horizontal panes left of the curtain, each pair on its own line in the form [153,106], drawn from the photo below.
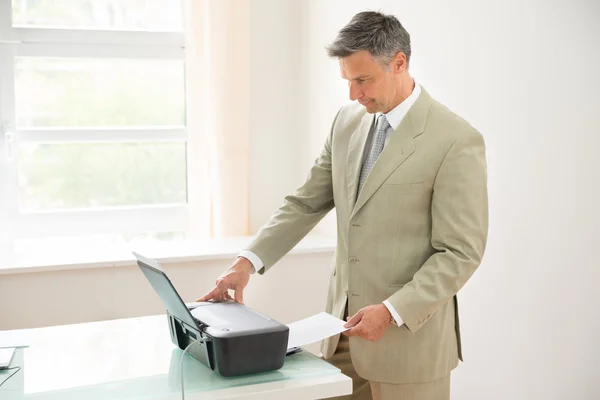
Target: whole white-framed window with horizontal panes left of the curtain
[93,118]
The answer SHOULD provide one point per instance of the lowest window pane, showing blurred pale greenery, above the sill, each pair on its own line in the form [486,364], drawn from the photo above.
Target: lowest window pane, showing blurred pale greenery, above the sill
[80,175]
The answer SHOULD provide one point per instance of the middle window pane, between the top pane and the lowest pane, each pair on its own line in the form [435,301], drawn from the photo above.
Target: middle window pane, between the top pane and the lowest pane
[71,92]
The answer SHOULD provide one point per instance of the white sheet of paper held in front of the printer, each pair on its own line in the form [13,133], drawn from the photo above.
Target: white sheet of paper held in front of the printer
[312,329]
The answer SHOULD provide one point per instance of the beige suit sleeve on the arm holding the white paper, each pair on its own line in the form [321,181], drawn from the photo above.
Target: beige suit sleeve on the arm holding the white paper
[459,233]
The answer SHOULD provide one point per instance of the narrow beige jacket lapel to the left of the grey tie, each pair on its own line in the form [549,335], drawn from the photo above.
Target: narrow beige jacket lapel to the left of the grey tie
[356,151]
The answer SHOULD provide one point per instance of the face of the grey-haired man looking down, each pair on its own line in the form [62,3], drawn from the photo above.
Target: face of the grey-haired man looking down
[370,83]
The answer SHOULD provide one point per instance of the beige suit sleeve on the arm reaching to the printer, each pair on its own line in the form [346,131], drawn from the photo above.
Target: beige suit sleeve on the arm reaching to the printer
[300,212]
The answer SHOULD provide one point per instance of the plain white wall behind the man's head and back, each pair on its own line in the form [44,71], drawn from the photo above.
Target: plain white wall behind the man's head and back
[526,75]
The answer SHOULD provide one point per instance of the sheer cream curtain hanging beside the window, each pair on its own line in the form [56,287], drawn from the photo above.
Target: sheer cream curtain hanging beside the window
[217,59]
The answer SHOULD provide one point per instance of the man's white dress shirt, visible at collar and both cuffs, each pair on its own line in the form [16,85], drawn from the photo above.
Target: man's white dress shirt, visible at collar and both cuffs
[394,117]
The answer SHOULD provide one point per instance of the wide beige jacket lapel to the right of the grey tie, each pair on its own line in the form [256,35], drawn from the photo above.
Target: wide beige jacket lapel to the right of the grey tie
[398,149]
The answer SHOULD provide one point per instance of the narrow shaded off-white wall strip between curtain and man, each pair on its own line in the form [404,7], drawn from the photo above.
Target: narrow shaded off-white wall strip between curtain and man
[277,116]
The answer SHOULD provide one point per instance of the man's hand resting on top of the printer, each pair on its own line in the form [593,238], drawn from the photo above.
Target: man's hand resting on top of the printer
[235,278]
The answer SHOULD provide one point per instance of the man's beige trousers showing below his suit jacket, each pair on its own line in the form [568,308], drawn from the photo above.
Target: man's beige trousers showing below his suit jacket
[365,390]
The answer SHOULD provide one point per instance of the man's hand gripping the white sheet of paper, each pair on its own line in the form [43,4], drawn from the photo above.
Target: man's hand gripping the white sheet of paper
[369,323]
